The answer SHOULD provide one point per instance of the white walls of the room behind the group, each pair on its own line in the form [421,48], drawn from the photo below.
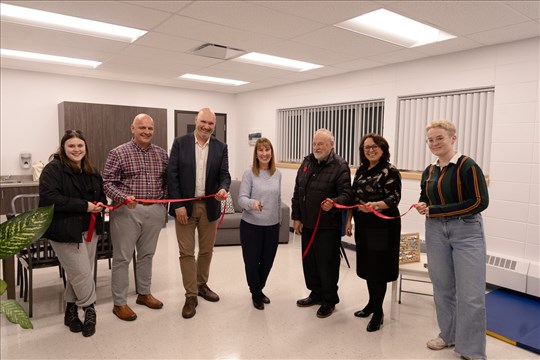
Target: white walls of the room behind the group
[29,122]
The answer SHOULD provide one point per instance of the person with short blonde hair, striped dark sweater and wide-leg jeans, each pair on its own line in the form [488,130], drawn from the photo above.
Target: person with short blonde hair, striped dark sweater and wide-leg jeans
[453,193]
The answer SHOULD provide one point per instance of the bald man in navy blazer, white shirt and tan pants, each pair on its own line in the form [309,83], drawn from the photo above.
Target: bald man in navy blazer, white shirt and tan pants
[198,166]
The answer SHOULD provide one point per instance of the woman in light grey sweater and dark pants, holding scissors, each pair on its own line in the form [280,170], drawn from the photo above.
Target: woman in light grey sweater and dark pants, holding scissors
[260,197]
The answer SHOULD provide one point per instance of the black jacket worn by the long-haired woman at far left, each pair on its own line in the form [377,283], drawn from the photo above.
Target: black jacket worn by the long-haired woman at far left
[70,193]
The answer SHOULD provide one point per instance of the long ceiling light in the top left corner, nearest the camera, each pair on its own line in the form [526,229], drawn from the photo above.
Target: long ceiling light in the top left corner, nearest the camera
[44,19]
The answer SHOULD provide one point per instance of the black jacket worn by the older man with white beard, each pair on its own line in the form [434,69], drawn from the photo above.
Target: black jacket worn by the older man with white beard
[317,181]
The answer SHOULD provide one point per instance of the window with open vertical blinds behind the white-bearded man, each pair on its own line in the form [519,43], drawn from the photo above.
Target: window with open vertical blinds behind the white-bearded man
[348,122]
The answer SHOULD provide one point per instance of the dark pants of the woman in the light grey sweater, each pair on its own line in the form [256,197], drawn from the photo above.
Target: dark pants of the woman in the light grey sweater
[259,247]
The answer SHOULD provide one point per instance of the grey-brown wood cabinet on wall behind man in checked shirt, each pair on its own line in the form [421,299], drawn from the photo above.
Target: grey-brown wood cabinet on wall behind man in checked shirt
[107,126]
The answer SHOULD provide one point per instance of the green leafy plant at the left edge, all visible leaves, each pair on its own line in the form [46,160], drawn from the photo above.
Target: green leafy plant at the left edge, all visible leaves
[16,234]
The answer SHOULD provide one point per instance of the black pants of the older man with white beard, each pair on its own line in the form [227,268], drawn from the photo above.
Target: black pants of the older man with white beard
[321,264]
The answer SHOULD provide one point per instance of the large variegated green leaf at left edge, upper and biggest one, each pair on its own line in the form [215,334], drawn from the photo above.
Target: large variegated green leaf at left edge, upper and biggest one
[18,232]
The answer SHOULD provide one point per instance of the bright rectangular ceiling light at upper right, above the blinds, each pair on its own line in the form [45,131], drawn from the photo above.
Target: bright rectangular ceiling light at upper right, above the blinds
[394,28]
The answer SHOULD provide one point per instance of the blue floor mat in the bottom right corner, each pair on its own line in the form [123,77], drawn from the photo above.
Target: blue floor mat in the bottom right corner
[515,318]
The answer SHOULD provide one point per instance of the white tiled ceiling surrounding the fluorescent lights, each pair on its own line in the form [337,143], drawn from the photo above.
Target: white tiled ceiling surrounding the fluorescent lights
[301,30]
